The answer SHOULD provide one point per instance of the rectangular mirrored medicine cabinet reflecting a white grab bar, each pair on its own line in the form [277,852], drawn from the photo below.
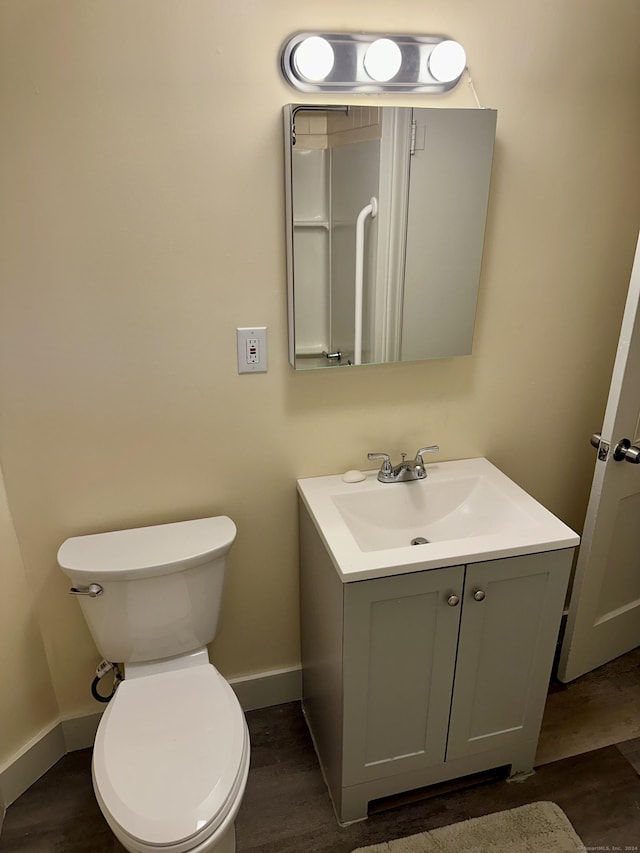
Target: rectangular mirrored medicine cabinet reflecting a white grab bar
[386,211]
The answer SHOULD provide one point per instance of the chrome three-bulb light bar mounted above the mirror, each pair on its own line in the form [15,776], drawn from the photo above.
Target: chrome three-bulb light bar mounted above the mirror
[369,62]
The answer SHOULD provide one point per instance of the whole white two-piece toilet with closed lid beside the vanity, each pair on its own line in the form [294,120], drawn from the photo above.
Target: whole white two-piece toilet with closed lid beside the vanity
[171,754]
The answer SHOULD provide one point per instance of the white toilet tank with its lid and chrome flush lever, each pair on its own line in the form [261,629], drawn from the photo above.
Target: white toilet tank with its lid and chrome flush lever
[161,586]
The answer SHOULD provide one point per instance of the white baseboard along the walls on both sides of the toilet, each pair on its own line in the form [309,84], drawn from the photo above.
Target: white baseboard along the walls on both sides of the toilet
[34,759]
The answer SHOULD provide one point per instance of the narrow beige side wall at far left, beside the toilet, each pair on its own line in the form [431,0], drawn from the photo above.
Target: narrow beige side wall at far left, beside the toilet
[27,701]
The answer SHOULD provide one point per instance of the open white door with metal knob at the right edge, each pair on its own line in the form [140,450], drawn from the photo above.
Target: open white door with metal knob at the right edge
[604,614]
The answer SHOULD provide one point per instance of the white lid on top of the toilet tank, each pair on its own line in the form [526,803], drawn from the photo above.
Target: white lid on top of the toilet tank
[146,551]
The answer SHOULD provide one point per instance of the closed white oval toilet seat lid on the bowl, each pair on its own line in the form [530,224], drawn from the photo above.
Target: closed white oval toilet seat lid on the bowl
[171,758]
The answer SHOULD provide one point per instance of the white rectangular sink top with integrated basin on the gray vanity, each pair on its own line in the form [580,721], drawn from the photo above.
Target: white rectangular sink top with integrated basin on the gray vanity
[466,510]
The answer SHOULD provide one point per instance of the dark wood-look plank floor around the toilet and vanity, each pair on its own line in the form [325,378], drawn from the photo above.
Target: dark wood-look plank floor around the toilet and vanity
[286,807]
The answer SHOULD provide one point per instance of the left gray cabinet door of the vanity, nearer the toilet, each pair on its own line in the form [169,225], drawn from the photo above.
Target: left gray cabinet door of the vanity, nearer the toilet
[400,637]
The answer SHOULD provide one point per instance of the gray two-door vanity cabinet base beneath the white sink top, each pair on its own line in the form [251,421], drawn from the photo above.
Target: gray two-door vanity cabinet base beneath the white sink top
[422,677]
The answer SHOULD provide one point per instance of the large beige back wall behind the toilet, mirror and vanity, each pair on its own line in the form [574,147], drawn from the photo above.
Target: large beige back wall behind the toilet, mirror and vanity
[142,221]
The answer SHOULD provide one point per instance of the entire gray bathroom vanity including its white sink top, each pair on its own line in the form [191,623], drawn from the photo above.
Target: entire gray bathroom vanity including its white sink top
[423,663]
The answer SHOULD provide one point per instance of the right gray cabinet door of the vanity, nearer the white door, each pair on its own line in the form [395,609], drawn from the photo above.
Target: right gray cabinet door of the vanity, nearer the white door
[506,649]
